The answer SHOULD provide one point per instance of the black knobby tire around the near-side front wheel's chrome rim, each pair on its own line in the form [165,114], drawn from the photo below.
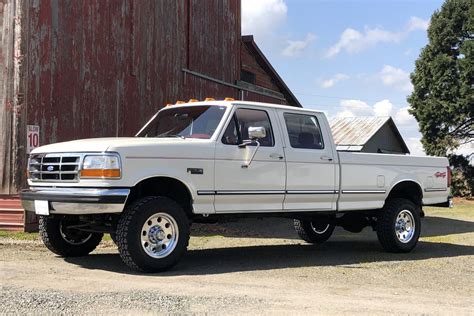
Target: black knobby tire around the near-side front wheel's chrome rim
[129,230]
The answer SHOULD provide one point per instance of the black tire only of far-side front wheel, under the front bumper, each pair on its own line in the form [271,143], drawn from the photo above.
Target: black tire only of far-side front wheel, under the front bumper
[49,229]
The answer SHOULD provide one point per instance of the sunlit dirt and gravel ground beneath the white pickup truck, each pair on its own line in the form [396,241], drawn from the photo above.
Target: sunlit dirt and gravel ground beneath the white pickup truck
[258,267]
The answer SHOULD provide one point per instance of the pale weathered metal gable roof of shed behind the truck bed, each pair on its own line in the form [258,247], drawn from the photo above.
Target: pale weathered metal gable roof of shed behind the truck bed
[352,133]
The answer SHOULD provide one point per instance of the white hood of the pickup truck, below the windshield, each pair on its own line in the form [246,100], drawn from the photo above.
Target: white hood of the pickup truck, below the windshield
[111,144]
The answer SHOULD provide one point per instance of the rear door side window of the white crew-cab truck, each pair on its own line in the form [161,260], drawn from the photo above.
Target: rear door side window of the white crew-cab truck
[304,131]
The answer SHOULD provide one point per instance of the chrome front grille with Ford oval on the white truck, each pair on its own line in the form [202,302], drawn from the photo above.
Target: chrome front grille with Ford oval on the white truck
[54,167]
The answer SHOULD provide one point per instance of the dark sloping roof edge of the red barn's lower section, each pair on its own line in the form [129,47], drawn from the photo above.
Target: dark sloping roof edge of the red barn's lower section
[249,42]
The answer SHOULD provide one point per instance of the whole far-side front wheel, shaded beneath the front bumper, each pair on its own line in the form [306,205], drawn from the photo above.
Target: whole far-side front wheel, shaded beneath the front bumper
[59,237]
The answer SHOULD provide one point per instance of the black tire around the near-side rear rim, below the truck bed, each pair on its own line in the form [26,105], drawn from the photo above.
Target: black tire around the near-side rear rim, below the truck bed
[386,222]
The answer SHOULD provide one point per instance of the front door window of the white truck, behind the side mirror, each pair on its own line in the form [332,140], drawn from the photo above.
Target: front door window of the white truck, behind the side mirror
[237,130]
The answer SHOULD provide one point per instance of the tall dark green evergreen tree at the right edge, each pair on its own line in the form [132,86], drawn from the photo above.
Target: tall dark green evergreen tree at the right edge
[443,98]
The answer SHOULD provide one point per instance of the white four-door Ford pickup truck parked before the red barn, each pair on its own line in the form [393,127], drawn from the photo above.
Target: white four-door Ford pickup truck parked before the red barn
[204,161]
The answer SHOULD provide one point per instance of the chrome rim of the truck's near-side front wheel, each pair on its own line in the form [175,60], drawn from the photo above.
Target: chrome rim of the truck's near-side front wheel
[159,235]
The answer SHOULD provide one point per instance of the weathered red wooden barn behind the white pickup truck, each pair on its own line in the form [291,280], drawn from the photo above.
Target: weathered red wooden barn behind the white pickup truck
[96,68]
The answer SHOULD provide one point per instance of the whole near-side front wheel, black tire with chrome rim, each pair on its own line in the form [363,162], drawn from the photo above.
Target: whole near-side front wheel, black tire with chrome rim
[152,234]
